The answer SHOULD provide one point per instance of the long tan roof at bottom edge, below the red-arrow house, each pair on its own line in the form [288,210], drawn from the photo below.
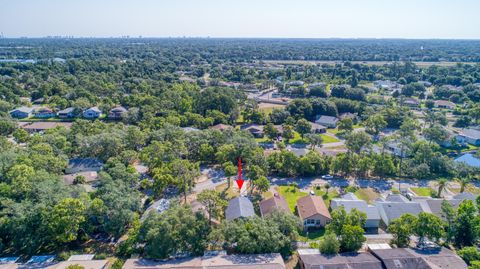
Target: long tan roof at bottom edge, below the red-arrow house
[221,261]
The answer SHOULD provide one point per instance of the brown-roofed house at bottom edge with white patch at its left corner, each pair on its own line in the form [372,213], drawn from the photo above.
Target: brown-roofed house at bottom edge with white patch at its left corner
[312,259]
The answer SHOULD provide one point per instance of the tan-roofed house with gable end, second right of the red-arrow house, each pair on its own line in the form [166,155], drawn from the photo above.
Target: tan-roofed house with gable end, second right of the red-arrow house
[313,212]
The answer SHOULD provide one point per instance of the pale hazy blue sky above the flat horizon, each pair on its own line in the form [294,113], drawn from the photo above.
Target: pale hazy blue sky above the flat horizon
[242,18]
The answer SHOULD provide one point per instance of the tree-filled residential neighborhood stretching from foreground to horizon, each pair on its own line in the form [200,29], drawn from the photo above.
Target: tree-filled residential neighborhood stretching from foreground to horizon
[142,153]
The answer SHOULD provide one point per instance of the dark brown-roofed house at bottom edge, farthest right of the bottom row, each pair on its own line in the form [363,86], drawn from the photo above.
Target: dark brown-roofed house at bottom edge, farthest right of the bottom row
[408,258]
